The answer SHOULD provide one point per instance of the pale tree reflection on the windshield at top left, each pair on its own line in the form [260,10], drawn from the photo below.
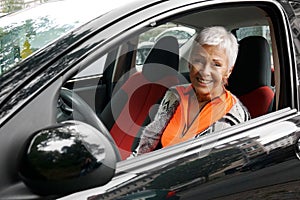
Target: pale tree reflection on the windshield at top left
[37,32]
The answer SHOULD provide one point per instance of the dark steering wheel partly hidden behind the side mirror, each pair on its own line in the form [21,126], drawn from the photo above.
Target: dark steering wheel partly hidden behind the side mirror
[74,105]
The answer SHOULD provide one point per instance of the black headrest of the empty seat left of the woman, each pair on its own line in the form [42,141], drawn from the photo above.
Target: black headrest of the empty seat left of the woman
[163,59]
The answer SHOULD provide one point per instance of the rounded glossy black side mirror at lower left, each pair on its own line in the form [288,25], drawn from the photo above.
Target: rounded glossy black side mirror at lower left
[66,158]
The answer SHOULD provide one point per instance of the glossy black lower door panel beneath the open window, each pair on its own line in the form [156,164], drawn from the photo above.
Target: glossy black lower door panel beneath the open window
[229,166]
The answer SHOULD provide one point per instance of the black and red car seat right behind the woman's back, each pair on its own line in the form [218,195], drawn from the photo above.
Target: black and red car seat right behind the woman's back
[250,80]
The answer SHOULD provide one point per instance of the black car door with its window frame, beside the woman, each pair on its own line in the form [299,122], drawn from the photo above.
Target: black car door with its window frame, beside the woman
[239,160]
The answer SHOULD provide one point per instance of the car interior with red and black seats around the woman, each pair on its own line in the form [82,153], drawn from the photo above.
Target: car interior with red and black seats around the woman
[125,95]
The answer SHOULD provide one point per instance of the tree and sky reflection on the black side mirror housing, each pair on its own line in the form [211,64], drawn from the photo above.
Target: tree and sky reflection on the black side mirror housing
[69,161]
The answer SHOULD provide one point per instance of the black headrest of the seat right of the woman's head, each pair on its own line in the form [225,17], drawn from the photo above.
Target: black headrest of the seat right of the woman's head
[253,66]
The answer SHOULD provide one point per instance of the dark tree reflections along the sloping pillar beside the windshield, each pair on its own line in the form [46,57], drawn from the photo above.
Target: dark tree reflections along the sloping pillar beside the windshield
[14,77]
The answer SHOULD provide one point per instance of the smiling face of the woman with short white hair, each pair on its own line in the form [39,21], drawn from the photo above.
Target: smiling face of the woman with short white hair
[209,71]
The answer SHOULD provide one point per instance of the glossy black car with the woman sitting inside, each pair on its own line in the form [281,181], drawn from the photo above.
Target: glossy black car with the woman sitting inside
[72,112]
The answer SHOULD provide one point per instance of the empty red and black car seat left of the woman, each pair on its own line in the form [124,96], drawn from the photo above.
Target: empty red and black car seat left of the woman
[128,111]
